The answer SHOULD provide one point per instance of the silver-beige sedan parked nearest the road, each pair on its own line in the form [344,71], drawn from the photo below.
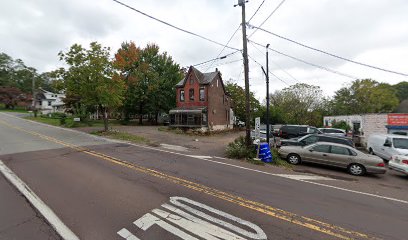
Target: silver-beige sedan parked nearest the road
[356,162]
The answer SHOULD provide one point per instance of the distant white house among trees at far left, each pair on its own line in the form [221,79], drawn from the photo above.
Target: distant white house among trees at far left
[49,102]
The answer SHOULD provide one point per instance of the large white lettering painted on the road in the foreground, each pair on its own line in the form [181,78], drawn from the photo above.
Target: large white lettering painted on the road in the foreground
[193,223]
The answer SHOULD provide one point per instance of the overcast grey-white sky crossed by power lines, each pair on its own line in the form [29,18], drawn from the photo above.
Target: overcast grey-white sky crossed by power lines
[369,31]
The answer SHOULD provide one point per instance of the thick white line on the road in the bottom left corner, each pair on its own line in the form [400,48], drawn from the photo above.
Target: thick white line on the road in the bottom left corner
[47,213]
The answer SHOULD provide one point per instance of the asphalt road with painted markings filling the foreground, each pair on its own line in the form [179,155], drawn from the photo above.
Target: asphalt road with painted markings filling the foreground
[102,189]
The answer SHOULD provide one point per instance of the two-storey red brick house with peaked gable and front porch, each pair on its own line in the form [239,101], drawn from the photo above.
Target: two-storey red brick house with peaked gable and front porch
[202,102]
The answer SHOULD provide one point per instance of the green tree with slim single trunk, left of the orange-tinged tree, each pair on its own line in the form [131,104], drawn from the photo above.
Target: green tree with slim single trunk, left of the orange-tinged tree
[89,78]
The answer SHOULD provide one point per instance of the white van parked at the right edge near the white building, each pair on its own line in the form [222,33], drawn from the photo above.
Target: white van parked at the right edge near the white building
[387,145]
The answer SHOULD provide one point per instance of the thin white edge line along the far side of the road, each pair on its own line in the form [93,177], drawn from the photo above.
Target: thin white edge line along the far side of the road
[213,161]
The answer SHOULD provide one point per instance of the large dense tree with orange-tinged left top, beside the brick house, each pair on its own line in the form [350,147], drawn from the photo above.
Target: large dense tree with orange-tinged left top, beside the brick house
[150,78]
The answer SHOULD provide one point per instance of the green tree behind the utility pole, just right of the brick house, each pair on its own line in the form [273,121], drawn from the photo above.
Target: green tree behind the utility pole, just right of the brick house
[237,94]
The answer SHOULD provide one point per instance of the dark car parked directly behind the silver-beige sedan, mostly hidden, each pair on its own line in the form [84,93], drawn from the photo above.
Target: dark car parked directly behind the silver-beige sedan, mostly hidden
[313,138]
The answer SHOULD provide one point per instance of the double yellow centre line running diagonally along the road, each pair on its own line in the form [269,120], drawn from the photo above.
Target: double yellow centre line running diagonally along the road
[309,223]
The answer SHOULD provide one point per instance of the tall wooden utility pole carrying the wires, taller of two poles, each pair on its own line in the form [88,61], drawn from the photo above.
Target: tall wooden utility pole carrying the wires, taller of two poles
[241,3]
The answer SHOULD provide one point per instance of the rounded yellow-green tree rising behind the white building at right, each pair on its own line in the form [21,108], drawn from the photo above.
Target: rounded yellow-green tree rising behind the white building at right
[365,96]
